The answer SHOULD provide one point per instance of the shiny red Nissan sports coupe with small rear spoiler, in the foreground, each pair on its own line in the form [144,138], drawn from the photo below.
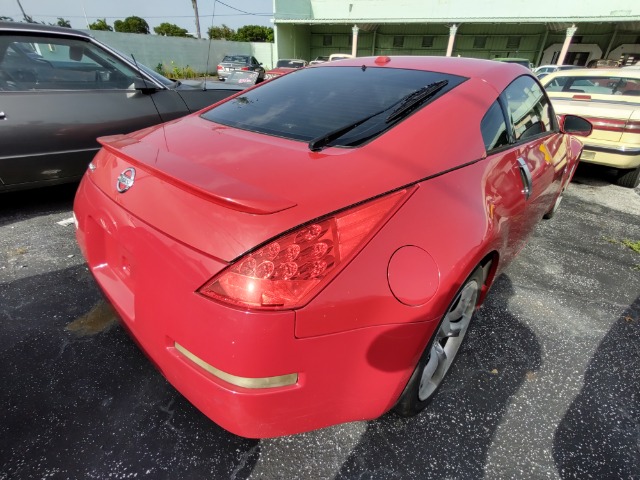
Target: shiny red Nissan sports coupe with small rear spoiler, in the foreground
[287,271]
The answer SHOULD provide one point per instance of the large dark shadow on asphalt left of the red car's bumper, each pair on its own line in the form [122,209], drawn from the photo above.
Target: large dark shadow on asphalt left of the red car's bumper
[80,400]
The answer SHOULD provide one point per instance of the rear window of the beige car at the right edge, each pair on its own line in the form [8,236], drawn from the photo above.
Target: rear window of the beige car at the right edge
[595,84]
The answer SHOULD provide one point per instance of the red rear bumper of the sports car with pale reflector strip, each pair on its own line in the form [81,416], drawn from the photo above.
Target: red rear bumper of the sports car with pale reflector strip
[245,370]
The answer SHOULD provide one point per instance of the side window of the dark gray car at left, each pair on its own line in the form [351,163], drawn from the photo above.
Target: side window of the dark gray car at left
[50,63]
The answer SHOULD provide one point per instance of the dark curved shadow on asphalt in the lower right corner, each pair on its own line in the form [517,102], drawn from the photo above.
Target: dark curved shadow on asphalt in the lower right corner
[599,436]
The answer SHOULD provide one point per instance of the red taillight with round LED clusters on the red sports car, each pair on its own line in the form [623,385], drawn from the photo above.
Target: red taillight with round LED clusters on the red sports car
[287,271]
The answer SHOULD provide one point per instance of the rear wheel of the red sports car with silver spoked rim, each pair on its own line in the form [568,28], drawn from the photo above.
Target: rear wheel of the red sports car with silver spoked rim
[442,349]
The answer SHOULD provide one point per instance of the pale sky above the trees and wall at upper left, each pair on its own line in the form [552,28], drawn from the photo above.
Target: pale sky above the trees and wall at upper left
[233,13]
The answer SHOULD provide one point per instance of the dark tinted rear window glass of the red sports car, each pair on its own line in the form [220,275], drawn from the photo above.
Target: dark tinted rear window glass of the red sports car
[309,103]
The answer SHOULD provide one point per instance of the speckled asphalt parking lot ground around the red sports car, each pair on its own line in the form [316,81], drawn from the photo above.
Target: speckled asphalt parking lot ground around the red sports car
[546,386]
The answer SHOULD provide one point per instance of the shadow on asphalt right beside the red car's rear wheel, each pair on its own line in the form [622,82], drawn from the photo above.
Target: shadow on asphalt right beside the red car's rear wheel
[451,438]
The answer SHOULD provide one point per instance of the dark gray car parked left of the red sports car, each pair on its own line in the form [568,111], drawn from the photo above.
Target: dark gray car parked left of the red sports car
[60,89]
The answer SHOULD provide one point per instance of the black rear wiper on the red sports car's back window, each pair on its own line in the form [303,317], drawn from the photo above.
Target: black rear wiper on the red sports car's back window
[406,105]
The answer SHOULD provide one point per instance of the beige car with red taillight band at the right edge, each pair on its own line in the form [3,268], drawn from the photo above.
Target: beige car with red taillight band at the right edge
[610,100]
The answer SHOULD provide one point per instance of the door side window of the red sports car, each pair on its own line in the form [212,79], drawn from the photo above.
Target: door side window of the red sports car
[529,108]
